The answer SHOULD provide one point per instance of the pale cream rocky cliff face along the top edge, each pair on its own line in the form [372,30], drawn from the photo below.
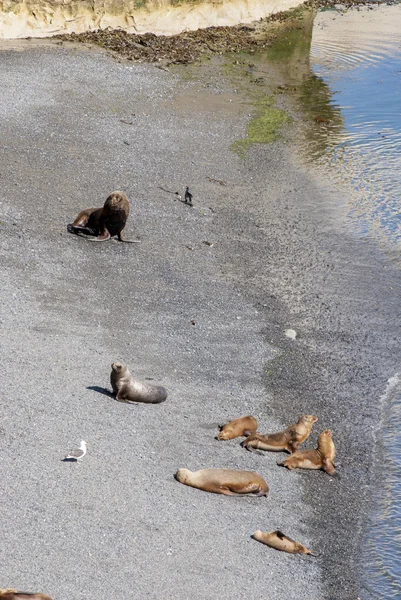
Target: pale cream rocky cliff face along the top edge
[44,18]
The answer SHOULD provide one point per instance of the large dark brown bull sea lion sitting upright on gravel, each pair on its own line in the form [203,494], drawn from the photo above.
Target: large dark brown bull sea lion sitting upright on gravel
[104,223]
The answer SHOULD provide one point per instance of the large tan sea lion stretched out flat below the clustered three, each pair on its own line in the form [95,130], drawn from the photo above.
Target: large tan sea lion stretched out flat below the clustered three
[224,481]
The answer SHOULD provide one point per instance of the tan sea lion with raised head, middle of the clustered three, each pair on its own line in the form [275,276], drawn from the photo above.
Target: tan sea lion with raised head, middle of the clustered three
[289,439]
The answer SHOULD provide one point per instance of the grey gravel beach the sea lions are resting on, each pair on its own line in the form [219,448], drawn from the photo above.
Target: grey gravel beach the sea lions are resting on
[206,320]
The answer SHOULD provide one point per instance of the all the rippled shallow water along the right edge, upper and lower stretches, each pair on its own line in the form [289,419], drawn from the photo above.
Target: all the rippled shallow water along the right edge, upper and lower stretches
[358,136]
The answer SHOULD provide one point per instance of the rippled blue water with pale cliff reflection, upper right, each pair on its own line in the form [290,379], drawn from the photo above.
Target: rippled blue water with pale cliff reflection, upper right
[358,55]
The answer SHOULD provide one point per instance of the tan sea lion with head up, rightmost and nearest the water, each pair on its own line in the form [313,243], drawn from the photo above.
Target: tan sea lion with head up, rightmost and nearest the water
[321,458]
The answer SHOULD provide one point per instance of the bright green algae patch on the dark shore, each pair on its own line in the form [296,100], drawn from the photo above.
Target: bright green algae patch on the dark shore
[265,127]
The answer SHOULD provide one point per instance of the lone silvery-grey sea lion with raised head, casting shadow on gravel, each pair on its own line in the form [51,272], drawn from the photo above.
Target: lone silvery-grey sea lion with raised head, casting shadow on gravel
[129,389]
